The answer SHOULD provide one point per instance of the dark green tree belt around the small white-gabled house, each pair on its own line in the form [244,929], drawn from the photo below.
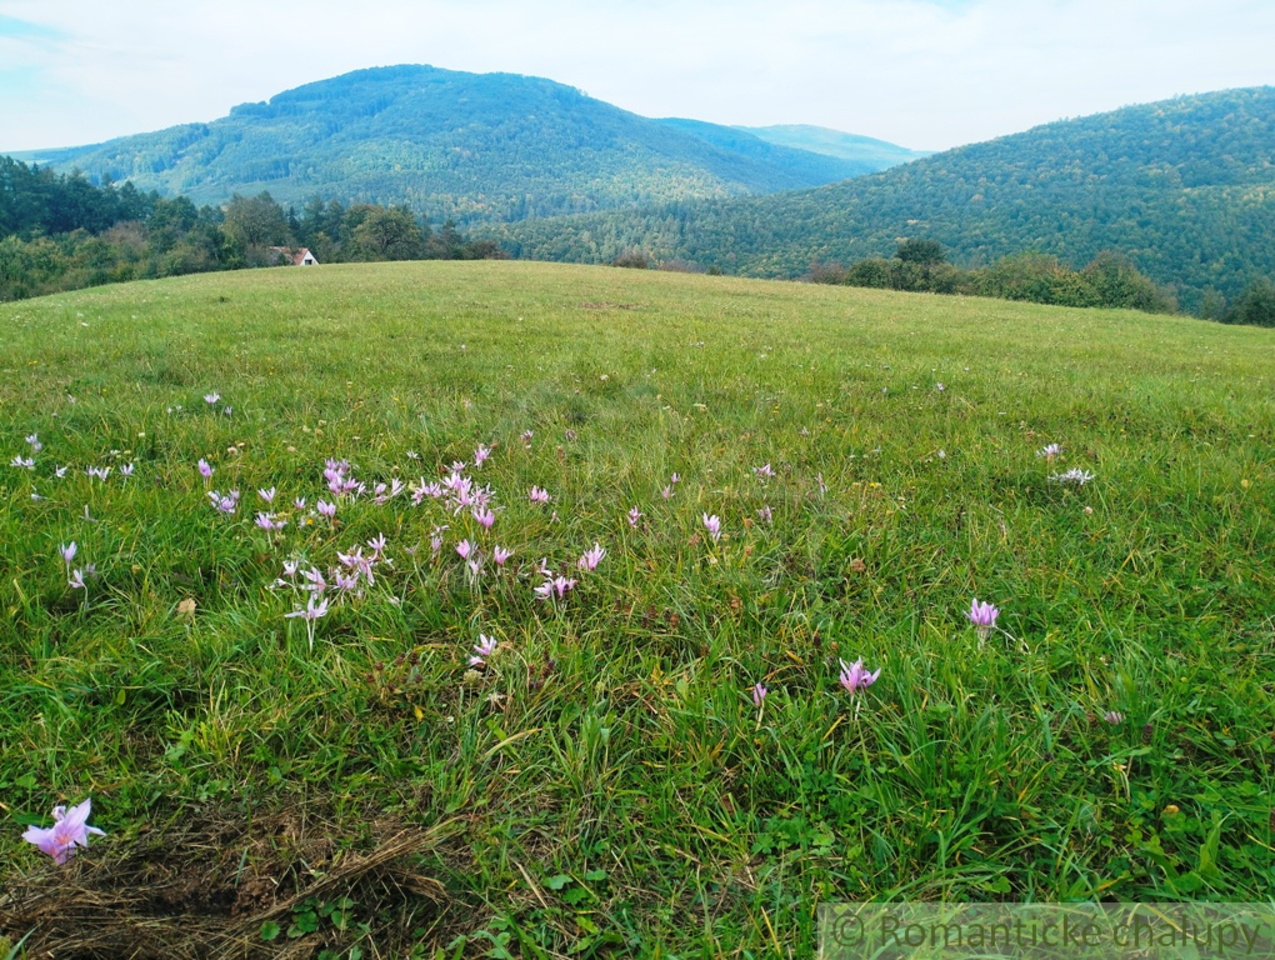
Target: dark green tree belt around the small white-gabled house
[62,233]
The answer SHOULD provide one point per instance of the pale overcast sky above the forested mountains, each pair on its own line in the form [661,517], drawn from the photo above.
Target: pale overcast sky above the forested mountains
[928,75]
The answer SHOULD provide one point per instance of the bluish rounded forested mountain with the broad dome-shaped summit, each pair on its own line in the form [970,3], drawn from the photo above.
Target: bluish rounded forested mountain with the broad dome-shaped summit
[470,147]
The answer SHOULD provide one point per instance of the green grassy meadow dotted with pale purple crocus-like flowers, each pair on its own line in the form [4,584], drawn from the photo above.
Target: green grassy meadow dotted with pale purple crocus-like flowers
[350,786]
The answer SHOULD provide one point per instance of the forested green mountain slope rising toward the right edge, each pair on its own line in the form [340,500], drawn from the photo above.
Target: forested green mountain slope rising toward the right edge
[1184,188]
